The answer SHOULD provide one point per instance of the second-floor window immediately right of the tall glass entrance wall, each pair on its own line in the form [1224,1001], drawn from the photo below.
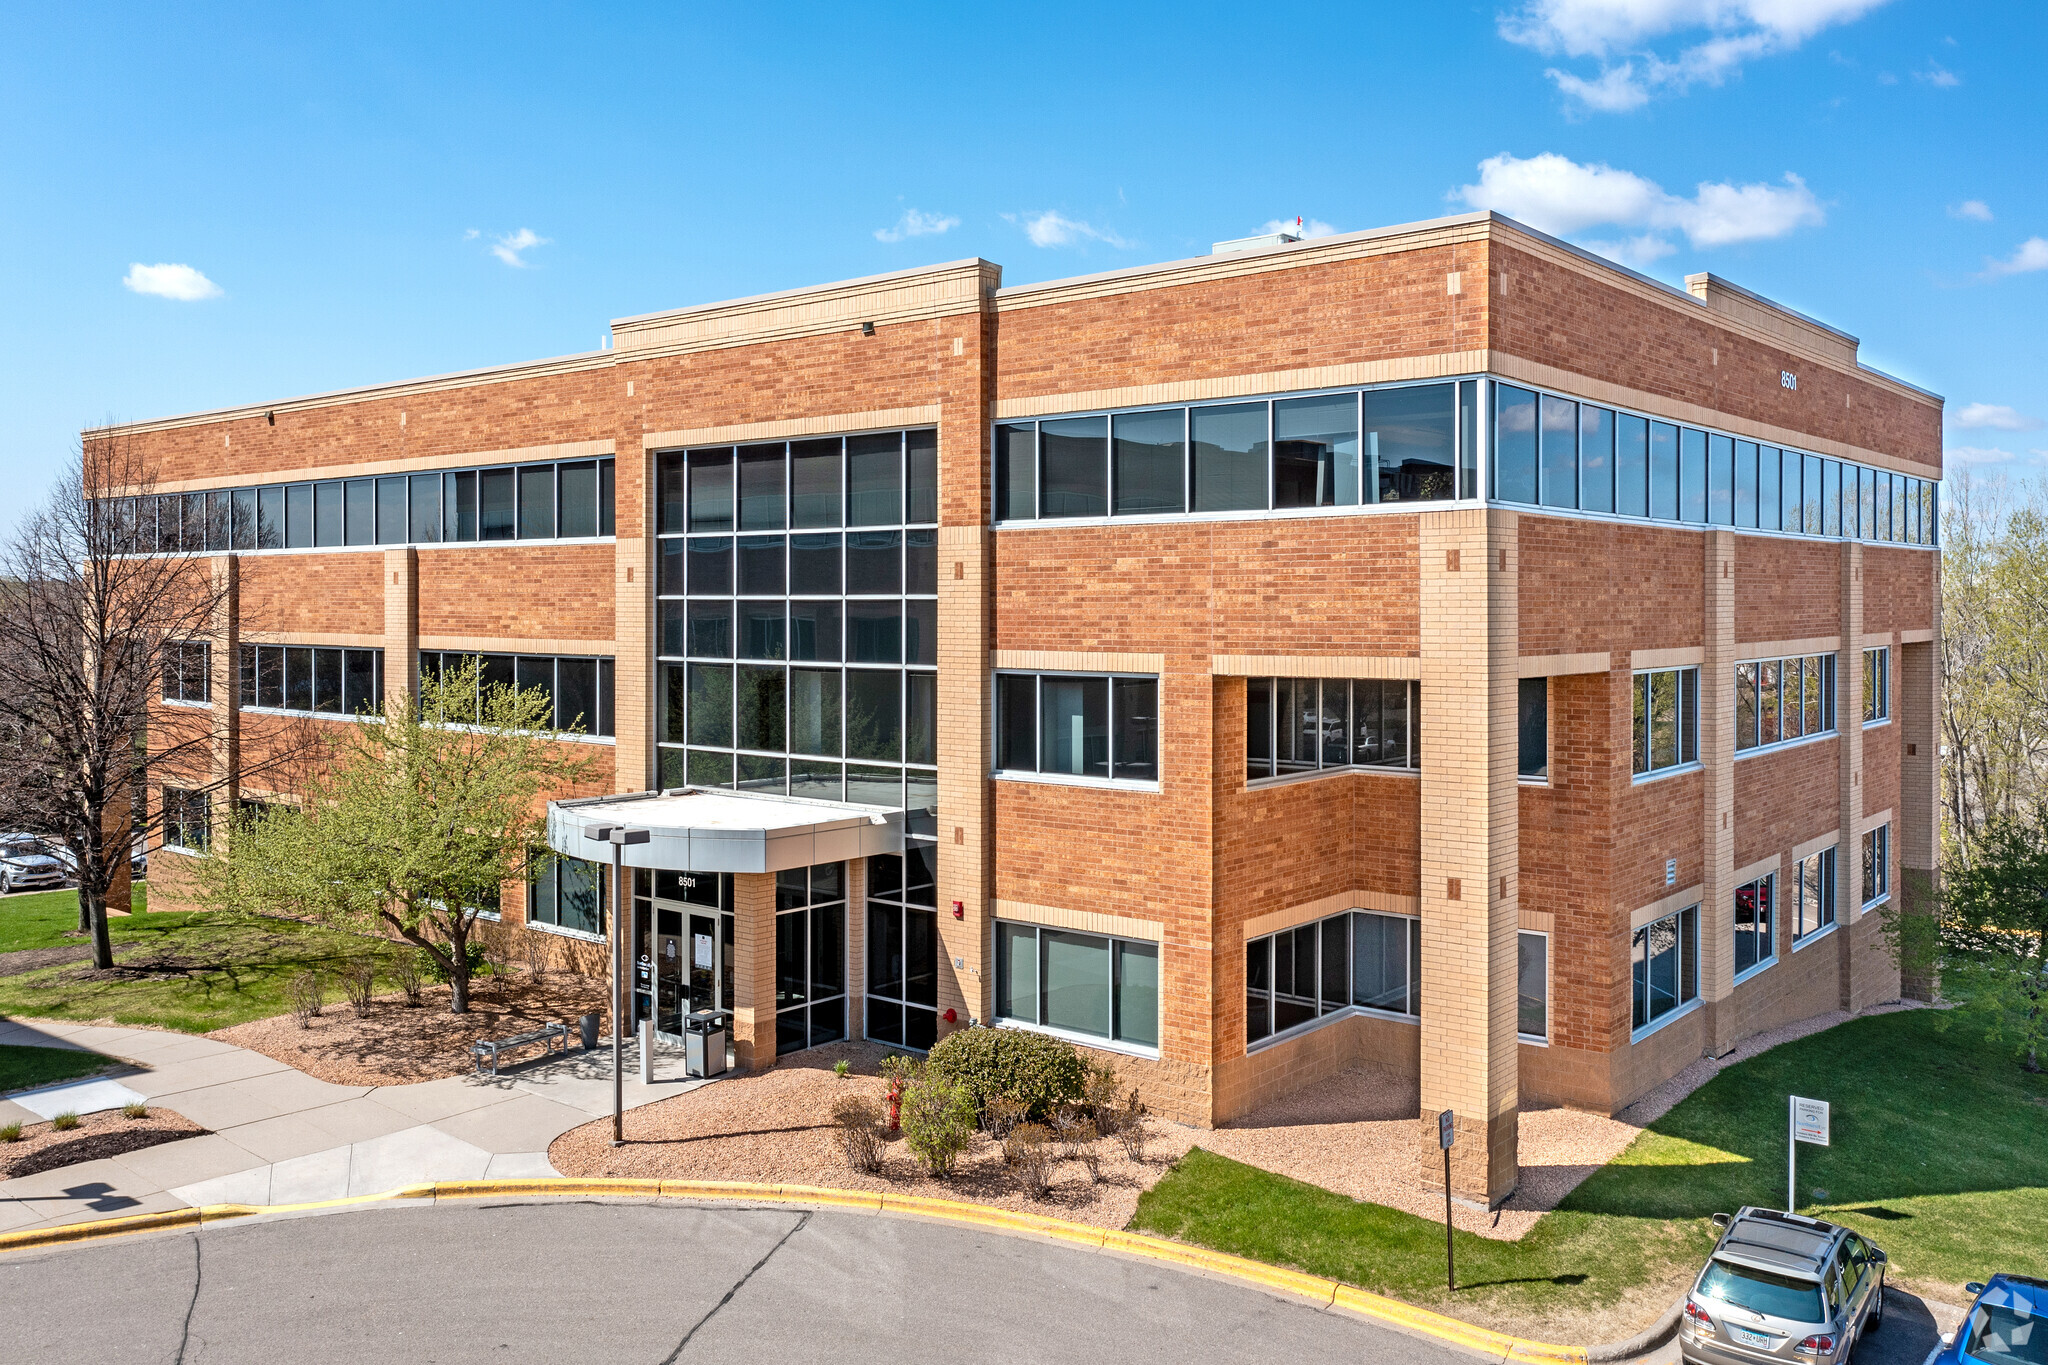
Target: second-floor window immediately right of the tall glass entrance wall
[1078,725]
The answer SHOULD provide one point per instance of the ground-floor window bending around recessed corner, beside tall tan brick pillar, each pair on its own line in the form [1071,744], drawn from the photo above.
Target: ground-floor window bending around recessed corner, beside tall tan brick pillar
[1332,967]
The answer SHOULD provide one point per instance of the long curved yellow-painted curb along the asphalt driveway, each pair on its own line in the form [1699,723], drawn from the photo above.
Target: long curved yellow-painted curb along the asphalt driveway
[1318,1290]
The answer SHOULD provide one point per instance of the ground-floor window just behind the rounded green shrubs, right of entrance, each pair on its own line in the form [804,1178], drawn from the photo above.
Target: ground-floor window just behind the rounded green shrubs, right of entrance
[1084,985]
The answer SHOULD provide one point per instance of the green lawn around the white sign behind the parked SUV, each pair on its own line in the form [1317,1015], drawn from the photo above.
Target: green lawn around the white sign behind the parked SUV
[1940,1157]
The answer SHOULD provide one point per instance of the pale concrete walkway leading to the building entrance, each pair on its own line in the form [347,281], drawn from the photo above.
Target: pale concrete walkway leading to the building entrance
[282,1137]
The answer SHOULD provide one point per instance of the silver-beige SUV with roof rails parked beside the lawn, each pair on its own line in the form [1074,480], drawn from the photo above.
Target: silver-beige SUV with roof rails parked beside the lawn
[1783,1288]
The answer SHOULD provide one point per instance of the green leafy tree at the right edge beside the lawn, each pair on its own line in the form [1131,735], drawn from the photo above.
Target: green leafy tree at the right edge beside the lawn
[1996,934]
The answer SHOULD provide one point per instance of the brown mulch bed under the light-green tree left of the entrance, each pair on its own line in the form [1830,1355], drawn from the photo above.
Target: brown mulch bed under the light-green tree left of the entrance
[398,1045]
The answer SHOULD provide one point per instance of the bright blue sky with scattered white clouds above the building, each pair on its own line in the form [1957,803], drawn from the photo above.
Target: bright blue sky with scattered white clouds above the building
[247,204]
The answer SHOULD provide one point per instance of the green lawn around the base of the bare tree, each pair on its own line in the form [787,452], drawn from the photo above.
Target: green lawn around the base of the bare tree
[210,971]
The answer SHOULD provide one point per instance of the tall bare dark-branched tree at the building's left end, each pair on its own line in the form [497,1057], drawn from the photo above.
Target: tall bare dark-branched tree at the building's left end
[101,617]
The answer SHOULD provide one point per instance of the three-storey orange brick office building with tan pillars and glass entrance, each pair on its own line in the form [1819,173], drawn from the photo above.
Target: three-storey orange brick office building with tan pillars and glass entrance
[1431,646]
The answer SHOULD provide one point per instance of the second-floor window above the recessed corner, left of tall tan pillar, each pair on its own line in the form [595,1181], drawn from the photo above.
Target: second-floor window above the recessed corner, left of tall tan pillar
[1297,725]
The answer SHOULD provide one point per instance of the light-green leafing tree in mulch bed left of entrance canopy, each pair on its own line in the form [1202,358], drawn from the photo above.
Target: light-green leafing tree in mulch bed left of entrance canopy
[415,824]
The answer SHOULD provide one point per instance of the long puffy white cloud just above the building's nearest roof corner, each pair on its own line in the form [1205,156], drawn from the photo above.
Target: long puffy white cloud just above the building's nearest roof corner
[1564,197]
